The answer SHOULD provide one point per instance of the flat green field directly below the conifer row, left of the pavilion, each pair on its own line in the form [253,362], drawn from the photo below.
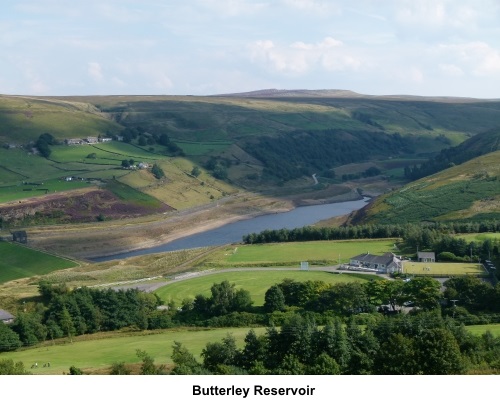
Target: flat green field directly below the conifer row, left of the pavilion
[292,253]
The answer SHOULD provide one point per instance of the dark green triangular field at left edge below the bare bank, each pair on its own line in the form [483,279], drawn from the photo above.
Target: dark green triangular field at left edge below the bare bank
[17,261]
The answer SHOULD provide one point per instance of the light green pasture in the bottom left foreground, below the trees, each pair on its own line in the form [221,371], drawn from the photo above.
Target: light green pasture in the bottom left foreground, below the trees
[105,349]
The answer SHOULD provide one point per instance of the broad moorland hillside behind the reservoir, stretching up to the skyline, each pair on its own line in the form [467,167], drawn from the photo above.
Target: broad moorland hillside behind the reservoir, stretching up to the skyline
[269,142]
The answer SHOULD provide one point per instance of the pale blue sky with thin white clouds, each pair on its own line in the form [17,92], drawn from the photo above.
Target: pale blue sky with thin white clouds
[207,47]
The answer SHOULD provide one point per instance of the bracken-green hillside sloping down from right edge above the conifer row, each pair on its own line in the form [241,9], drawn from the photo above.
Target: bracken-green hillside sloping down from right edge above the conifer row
[469,191]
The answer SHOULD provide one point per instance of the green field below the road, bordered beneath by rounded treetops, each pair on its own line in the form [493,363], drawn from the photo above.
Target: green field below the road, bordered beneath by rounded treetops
[257,282]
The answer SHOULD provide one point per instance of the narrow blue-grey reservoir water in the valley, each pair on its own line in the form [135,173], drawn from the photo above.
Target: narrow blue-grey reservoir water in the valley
[234,232]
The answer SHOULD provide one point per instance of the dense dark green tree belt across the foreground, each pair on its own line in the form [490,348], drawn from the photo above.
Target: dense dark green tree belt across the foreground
[313,327]
